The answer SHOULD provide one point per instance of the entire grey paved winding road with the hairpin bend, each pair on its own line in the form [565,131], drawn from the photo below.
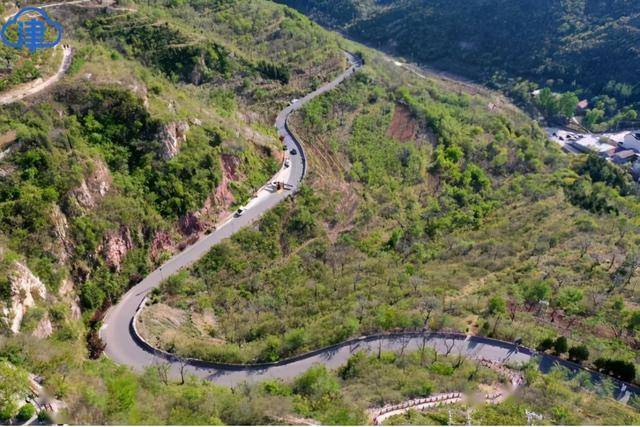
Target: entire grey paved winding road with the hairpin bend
[125,346]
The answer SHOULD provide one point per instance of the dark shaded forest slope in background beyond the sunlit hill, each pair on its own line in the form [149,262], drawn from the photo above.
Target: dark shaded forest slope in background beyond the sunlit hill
[586,47]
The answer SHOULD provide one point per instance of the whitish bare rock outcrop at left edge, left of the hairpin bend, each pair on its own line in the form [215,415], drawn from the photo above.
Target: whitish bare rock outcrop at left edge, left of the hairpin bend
[26,289]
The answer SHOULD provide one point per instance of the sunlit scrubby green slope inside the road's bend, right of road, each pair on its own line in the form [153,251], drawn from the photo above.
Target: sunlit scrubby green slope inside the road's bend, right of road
[475,223]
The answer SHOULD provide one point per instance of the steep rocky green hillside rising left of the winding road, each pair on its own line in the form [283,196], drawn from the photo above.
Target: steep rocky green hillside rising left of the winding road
[157,132]
